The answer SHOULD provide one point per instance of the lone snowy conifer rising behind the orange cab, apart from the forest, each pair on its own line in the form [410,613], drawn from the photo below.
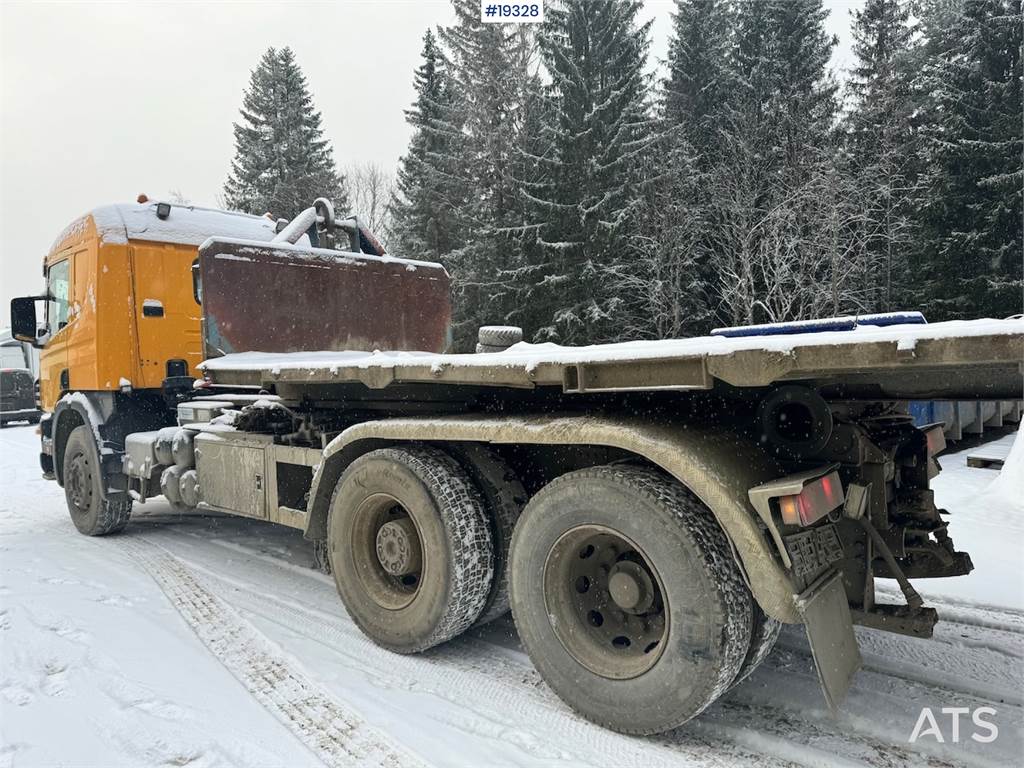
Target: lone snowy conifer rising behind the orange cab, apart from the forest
[282,161]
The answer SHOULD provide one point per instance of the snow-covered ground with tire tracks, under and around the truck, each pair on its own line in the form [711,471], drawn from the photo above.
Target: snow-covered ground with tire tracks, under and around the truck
[206,641]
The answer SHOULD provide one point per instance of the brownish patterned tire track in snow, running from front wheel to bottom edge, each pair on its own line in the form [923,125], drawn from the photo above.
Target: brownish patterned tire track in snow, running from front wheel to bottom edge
[337,736]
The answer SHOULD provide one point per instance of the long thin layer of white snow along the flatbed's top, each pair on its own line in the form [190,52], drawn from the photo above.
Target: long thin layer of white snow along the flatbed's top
[532,356]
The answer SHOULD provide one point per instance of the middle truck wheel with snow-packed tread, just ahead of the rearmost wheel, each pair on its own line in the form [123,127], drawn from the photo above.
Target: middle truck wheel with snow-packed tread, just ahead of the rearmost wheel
[410,547]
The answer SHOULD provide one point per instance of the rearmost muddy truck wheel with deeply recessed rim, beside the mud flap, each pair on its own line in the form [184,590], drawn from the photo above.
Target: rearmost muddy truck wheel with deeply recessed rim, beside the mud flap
[627,598]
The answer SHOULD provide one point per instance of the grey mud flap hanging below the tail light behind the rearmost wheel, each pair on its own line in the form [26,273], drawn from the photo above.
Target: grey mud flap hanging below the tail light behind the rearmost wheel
[830,629]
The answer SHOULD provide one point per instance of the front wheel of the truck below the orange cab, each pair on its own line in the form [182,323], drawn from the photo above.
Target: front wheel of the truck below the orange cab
[92,515]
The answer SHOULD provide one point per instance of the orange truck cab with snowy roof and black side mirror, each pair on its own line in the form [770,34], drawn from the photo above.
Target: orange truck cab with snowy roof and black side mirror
[121,370]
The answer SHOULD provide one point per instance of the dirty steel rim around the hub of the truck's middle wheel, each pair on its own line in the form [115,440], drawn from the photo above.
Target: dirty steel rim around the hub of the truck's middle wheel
[389,590]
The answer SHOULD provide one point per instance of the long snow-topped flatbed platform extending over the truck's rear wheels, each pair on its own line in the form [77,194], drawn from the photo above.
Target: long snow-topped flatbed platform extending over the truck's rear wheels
[963,360]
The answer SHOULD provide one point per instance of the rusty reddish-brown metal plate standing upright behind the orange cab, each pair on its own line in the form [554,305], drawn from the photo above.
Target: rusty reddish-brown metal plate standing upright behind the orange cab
[285,300]
